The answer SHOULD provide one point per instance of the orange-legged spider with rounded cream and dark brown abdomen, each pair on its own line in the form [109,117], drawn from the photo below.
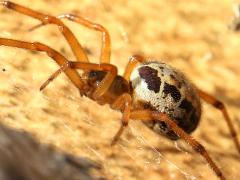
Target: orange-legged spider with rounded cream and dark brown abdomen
[150,91]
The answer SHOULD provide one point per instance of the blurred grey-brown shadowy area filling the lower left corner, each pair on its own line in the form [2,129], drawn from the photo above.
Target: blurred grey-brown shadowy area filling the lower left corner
[24,158]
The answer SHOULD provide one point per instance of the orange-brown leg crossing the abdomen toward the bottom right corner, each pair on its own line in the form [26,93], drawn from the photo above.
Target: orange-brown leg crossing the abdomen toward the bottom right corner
[147,115]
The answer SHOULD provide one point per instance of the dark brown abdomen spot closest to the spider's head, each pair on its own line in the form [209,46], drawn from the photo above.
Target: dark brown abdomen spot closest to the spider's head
[150,76]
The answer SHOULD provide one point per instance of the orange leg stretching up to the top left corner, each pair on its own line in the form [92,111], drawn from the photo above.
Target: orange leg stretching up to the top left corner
[46,19]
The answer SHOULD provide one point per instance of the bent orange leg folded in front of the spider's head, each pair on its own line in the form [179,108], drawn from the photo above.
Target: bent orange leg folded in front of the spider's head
[102,87]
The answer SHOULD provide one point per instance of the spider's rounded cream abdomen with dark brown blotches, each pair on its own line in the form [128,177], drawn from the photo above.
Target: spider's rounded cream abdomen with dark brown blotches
[162,88]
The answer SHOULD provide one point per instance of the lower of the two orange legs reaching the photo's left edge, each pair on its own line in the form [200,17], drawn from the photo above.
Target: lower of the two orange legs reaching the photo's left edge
[56,56]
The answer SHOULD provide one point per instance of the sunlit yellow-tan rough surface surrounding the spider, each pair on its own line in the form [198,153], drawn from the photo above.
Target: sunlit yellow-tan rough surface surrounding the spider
[193,36]
